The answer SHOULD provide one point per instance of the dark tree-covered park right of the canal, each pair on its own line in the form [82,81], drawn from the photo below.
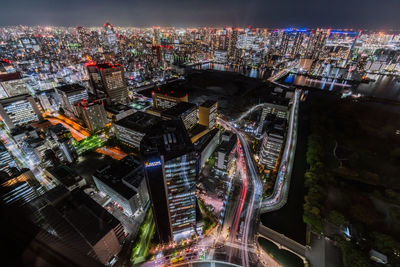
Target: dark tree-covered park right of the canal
[352,181]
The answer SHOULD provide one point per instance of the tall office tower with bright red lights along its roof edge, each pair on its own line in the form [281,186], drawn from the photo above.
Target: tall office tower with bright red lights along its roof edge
[108,80]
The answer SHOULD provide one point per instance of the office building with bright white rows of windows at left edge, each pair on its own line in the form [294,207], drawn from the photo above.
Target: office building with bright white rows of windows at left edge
[19,110]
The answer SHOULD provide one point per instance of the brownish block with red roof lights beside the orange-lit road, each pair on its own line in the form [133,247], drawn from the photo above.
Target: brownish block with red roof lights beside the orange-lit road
[93,114]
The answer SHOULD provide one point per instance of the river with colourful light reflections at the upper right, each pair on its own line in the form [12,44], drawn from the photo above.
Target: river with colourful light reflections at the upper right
[382,87]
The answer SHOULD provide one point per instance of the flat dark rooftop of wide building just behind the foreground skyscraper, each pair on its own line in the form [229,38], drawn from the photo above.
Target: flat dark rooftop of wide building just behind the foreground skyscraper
[138,121]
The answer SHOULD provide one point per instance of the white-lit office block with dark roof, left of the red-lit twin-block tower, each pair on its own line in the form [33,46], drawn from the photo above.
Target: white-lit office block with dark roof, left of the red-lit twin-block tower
[69,95]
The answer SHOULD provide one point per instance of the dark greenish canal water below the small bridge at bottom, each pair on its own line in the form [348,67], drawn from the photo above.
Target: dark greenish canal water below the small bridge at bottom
[284,257]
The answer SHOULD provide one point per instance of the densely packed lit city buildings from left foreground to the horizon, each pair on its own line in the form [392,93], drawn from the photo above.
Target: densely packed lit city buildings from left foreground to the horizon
[59,87]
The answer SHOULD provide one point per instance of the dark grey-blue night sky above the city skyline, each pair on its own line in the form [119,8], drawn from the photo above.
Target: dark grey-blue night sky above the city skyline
[373,14]
